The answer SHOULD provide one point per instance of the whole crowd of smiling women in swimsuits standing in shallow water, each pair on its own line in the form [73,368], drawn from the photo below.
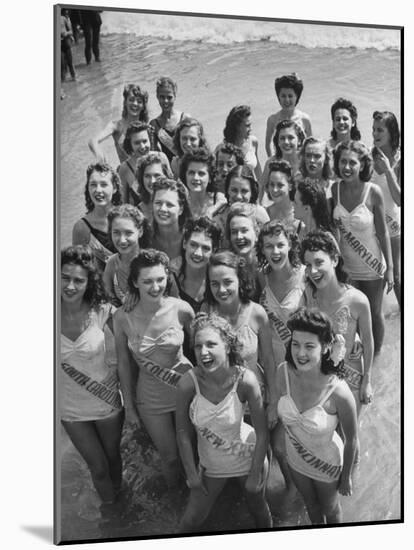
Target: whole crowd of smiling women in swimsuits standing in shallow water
[245,306]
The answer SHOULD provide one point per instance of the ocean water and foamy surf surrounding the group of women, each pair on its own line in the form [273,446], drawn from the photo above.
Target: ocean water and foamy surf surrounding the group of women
[217,64]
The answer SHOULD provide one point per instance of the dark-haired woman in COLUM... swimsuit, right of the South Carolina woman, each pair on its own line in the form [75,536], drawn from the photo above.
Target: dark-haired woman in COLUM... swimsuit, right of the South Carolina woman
[153,332]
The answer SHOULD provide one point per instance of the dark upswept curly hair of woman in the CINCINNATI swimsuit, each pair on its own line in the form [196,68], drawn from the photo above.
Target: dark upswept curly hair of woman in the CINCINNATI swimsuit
[316,322]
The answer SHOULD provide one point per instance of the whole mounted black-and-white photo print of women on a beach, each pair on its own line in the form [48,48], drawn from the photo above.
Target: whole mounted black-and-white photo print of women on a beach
[228,335]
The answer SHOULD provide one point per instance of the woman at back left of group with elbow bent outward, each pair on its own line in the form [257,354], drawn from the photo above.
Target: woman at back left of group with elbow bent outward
[134,109]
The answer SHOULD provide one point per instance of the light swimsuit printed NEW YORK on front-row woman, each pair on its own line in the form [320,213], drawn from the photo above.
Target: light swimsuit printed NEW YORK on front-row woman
[226,421]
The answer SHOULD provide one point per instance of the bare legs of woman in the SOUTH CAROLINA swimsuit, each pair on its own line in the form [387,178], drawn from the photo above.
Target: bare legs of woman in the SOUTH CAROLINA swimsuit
[86,439]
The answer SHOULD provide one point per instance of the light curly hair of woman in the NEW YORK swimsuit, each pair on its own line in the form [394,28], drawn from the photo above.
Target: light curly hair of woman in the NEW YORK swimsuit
[226,332]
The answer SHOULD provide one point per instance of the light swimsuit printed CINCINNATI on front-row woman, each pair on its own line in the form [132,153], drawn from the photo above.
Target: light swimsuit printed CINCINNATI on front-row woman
[314,448]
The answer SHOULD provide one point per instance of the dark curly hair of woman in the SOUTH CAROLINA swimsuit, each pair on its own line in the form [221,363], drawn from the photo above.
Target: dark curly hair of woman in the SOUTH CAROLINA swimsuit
[83,256]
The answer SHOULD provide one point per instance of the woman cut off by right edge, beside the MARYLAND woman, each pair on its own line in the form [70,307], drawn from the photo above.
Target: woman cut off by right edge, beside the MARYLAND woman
[387,170]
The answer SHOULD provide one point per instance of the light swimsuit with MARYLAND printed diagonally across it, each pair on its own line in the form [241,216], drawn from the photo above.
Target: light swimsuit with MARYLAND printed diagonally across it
[358,240]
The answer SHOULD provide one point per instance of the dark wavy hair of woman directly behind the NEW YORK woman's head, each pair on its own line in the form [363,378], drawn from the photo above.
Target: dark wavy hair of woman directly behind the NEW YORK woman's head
[230,259]
